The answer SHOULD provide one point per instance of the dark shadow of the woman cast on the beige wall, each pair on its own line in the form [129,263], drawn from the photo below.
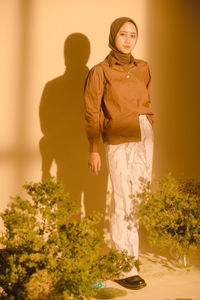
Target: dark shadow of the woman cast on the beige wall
[62,123]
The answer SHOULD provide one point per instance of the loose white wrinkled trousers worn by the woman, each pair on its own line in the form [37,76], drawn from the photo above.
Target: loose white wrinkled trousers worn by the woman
[126,163]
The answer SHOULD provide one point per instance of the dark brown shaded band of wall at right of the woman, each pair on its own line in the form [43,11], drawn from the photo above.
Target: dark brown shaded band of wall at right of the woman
[173,49]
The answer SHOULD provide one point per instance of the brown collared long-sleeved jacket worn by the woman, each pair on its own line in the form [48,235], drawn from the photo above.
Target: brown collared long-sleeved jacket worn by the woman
[114,97]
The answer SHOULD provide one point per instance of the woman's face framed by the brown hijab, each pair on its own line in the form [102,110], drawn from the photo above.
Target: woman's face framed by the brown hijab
[126,38]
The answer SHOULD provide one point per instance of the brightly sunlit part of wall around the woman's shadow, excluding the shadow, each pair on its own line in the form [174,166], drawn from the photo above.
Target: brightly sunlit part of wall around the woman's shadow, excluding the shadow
[33,34]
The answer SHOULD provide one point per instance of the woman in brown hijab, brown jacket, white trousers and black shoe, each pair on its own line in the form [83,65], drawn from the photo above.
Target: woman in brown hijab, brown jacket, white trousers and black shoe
[117,106]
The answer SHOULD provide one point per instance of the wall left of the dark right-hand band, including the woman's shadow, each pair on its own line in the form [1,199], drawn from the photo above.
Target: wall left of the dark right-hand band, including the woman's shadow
[42,126]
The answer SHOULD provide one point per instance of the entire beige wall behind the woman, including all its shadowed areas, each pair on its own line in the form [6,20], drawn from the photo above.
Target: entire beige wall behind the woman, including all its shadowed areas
[33,33]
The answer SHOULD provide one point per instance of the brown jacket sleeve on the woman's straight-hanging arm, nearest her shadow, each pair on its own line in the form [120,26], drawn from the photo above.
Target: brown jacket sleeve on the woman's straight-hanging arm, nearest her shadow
[93,92]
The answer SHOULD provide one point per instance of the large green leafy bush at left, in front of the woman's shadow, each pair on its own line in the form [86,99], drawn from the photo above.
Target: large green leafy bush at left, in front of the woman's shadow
[47,252]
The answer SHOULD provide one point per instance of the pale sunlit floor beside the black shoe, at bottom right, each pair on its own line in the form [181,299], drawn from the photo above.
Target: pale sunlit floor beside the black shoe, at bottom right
[164,280]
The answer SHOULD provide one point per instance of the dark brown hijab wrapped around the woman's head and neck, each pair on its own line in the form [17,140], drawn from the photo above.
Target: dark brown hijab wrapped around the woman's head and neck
[123,58]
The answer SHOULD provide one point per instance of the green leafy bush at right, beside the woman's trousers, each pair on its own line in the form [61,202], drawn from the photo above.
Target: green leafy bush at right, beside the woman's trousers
[170,211]
